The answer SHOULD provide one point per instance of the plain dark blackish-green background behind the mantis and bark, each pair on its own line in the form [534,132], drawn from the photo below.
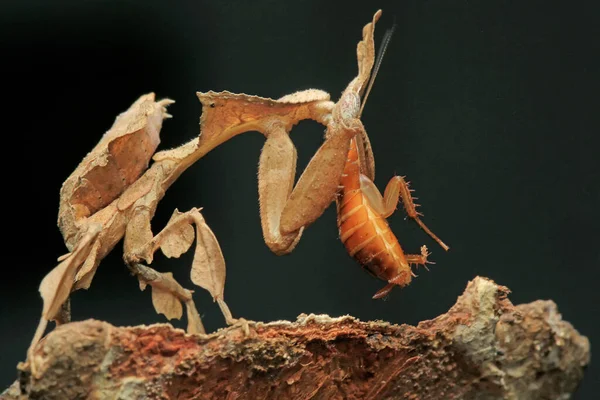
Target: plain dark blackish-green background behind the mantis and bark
[489,109]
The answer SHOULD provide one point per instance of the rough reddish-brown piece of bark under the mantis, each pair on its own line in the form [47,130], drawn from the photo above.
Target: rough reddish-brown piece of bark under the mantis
[482,348]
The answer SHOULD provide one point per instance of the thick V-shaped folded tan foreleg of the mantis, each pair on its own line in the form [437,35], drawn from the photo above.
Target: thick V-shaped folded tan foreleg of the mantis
[285,209]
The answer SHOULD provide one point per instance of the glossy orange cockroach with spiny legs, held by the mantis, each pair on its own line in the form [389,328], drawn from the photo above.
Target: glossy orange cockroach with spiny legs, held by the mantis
[362,211]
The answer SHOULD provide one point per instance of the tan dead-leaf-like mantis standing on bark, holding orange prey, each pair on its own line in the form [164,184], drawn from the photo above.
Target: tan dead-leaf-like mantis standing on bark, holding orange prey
[114,192]
